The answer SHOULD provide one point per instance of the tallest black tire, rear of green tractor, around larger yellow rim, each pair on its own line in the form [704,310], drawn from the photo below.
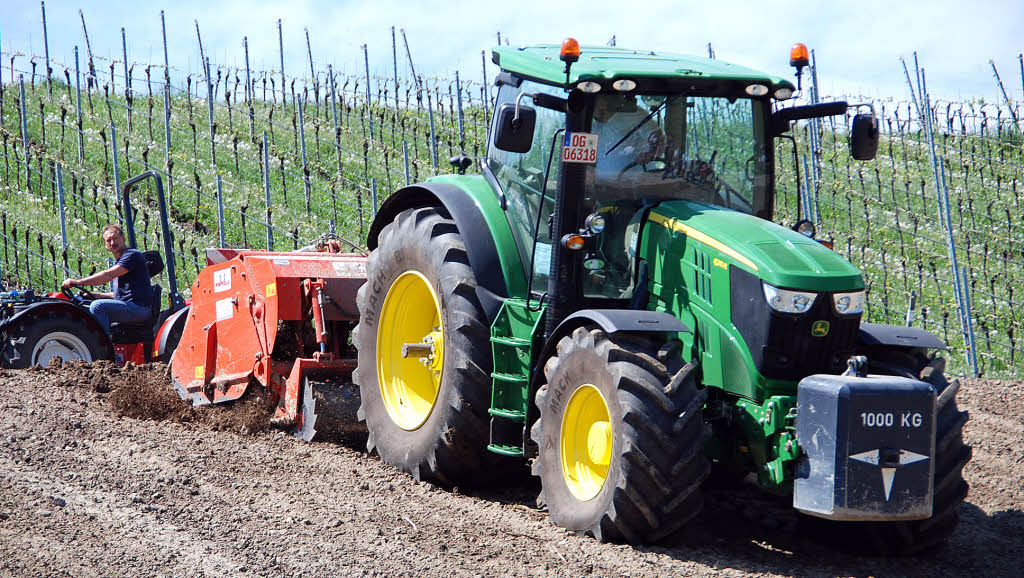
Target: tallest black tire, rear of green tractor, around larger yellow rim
[450,447]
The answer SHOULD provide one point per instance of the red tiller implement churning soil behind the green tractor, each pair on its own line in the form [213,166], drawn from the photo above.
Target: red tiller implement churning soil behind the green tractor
[282,320]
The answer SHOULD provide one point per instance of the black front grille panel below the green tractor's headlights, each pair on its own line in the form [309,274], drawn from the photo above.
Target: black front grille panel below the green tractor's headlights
[785,346]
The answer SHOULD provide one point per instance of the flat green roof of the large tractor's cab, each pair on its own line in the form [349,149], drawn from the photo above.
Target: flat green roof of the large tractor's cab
[608,64]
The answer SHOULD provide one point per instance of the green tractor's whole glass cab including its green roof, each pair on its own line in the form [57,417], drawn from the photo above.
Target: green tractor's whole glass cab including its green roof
[609,135]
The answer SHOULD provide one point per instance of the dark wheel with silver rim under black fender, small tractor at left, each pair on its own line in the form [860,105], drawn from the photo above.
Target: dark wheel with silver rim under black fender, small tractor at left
[38,337]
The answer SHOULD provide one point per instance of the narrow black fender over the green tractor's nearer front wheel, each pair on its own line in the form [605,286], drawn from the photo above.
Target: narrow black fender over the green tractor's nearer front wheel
[611,321]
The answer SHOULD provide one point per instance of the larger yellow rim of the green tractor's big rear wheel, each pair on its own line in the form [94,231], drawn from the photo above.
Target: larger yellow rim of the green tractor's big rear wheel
[411,315]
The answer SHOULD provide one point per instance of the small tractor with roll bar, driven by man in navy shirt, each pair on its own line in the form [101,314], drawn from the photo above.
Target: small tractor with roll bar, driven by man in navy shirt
[35,329]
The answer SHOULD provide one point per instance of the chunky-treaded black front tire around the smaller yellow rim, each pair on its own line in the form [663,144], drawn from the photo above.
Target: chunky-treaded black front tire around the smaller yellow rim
[657,462]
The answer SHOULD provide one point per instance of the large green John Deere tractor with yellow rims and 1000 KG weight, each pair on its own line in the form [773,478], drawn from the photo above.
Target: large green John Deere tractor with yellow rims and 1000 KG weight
[611,301]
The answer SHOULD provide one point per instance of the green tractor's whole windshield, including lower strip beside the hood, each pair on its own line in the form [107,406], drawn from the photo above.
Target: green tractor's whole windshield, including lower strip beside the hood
[662,148]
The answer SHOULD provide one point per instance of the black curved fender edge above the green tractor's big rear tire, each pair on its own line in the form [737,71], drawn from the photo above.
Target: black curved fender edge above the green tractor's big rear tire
[481,247]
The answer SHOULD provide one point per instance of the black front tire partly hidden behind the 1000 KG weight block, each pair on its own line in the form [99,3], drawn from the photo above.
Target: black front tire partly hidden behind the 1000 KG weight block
[905,539]
